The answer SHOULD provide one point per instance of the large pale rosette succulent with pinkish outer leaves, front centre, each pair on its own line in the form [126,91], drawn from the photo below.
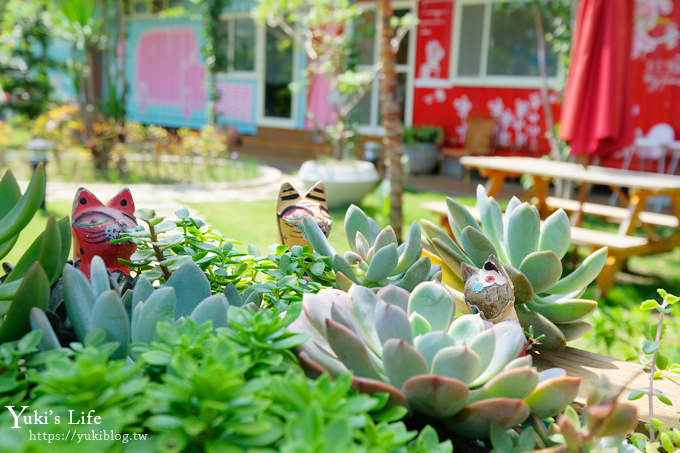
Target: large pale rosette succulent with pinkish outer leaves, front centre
[467,371]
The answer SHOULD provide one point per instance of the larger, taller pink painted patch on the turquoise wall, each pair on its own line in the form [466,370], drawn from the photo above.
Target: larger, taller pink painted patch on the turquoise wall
[169,70]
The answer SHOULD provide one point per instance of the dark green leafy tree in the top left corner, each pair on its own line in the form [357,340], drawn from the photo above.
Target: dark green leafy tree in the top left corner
[24,62]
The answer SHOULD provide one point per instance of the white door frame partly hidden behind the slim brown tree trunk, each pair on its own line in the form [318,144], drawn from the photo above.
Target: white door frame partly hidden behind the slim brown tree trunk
[374,127]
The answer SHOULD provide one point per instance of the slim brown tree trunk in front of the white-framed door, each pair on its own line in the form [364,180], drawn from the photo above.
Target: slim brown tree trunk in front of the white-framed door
[391,116]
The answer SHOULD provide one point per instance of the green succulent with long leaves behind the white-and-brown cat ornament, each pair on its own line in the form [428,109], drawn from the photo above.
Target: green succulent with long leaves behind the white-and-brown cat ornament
[531,252]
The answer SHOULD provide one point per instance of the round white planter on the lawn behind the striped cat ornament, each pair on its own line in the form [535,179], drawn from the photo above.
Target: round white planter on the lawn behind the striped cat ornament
[345,181]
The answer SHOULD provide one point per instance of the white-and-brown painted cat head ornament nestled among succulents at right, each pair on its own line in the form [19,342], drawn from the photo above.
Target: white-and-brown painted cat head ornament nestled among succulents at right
[489,291]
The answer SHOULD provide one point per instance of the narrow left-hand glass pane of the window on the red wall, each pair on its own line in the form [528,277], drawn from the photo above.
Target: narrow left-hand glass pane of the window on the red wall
[470,50]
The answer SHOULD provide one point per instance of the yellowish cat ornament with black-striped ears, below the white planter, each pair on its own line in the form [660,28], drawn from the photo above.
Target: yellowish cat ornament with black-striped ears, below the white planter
[292,208]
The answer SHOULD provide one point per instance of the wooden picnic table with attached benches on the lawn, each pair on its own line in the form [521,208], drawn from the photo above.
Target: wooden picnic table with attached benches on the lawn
[623,244]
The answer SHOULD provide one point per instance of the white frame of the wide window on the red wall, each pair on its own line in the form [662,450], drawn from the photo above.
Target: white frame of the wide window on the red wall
[483,79]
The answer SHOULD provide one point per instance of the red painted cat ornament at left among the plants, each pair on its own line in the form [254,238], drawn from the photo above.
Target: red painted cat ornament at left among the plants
[95,224]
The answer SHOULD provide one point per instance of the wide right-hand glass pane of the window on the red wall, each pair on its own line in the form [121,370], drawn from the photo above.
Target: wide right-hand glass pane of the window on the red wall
[513,44]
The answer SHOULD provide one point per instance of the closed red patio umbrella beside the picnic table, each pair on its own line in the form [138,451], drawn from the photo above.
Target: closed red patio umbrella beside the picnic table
[596,114]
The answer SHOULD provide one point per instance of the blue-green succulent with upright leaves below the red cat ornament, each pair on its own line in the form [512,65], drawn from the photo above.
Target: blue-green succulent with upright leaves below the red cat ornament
[132,318]
